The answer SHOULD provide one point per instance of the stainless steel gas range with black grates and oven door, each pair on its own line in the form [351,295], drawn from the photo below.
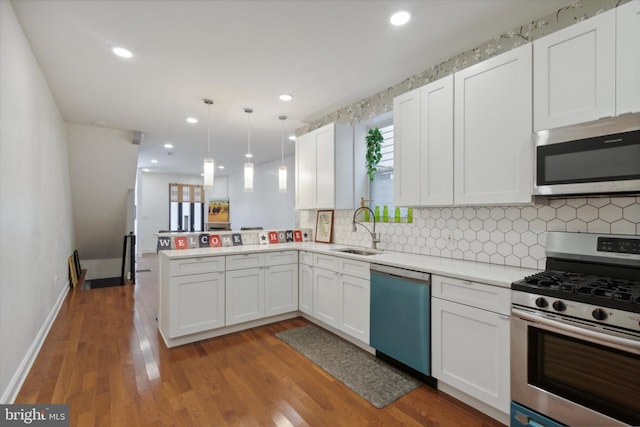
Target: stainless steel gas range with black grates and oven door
[575,334]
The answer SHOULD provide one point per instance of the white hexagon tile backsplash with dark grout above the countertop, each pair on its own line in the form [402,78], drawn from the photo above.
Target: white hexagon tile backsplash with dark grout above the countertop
[506,235]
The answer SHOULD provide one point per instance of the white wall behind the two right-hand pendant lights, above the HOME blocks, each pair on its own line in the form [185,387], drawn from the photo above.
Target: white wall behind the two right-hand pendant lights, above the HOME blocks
[265,206]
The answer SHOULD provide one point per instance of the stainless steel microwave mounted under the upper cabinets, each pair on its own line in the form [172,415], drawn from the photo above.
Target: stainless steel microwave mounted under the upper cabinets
[599,157]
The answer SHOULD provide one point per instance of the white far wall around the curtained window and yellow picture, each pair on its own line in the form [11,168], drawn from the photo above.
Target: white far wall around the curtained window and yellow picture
[153,203]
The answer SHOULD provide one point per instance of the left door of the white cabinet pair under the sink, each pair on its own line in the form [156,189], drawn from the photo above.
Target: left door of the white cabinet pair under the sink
[326,296]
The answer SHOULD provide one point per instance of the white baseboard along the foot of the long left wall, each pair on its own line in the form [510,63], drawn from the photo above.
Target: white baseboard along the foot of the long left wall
[11,392]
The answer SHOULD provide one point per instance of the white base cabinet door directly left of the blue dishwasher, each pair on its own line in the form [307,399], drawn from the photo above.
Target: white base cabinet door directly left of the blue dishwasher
[355,295]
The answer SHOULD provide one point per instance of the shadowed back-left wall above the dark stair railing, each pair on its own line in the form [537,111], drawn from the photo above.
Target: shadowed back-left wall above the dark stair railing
[103,165]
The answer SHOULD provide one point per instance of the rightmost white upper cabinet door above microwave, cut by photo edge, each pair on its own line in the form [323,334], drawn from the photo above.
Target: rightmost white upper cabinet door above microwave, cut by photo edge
[628,58]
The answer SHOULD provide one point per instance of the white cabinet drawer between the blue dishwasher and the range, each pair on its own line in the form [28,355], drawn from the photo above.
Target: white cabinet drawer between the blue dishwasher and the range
[474,294]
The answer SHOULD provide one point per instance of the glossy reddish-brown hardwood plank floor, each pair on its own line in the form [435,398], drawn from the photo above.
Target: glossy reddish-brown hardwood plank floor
[104,357]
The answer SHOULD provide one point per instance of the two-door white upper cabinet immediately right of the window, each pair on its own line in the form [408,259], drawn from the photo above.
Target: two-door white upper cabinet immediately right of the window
[423,145]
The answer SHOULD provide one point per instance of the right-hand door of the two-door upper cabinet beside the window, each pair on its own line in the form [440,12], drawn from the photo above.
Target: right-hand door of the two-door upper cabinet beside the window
[436,143]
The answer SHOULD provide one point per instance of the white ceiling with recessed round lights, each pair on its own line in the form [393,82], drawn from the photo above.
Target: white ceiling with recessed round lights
[326,53]
